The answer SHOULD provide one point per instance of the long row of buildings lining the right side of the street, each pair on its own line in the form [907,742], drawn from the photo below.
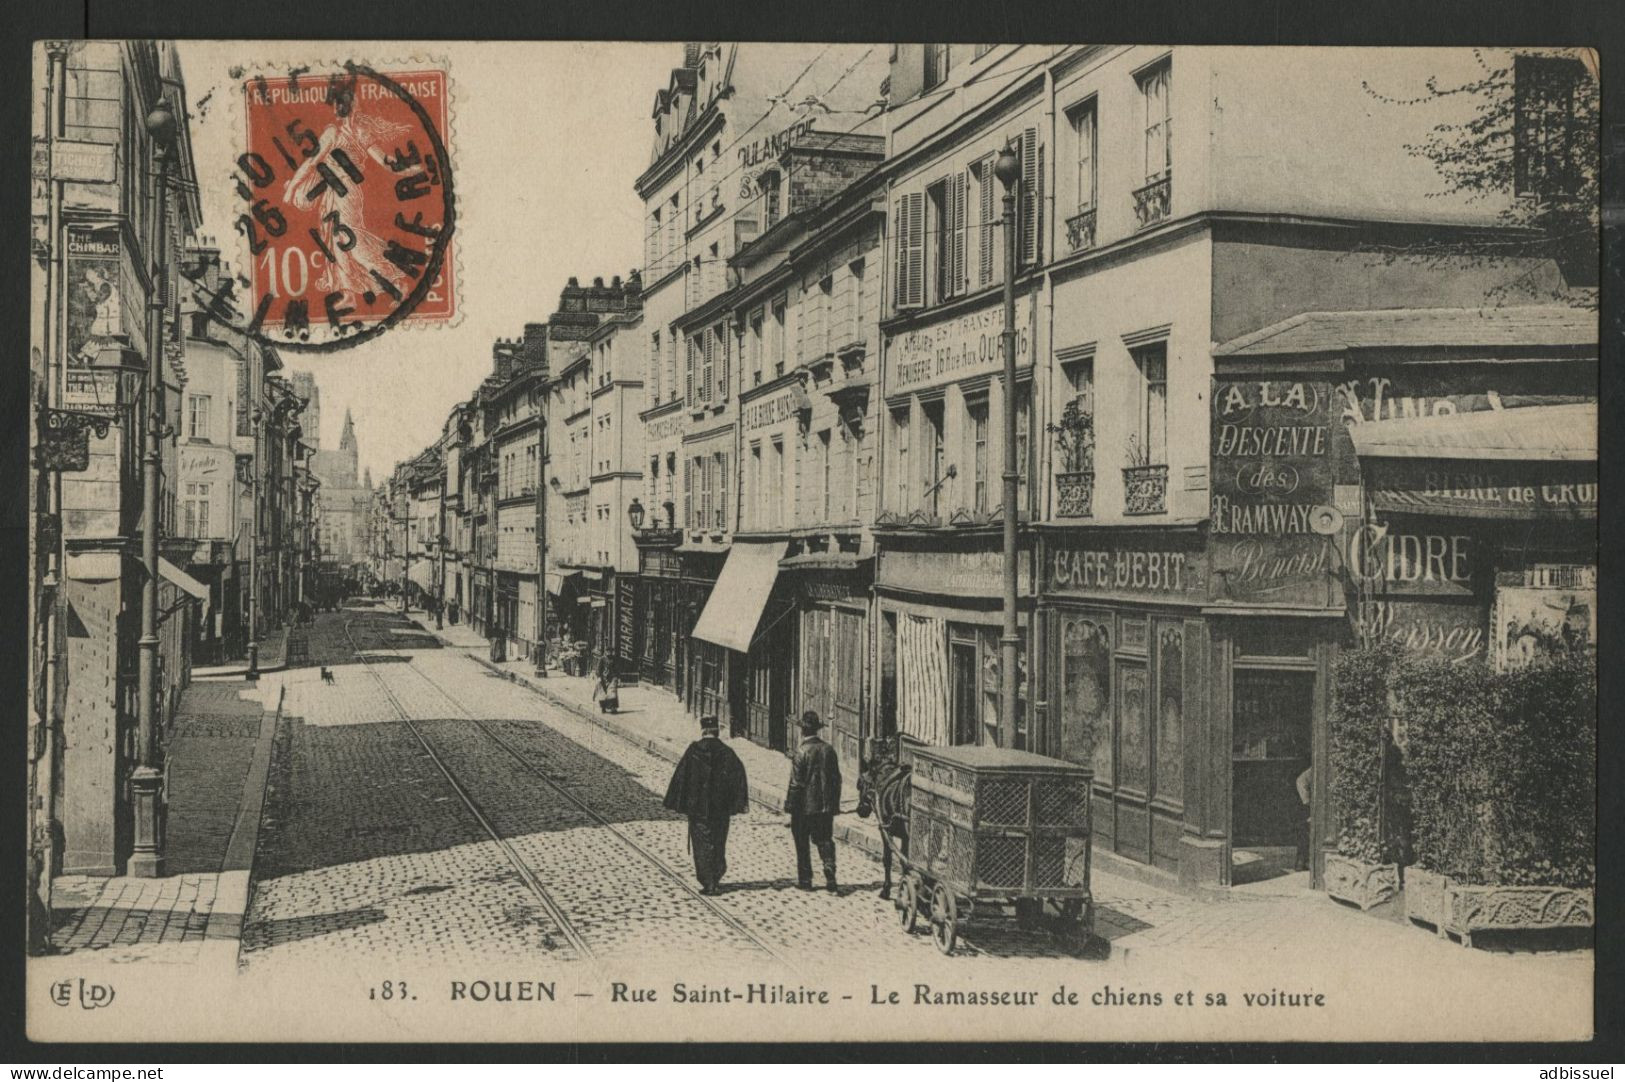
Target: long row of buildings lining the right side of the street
[1270,404]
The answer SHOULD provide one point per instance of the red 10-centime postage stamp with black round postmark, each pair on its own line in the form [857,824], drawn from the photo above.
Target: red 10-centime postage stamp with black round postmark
[347,206]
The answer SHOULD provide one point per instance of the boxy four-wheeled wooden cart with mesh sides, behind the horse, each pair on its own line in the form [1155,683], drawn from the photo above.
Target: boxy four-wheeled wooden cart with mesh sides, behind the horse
[994,831]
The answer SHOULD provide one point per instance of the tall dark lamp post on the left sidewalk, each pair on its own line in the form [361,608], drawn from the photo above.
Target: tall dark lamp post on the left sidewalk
[145,782]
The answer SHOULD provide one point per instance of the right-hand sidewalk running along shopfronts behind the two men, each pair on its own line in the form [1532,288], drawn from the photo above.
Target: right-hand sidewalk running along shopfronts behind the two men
[656,721]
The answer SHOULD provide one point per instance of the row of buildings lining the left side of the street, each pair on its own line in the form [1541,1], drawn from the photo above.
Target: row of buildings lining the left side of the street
[171,490]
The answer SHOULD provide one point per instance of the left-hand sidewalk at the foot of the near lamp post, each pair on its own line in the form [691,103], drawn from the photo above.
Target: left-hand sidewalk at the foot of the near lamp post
[217,768]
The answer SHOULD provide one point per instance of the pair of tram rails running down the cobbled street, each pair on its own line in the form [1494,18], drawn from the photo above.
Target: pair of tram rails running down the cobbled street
[527,875]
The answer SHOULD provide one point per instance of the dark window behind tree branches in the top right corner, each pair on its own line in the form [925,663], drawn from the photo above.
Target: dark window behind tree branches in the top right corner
[1548,134]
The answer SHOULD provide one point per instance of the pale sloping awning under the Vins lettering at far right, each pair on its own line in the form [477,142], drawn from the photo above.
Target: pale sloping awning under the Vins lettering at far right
[1566,433]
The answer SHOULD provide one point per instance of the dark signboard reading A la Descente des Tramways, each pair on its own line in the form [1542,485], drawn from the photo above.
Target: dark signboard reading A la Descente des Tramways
[1273,493]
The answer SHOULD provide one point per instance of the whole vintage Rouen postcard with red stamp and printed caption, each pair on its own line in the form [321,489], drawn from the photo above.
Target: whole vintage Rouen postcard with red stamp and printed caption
[587,542]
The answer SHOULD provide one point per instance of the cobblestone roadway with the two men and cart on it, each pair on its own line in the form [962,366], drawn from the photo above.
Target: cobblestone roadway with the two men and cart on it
[371,852]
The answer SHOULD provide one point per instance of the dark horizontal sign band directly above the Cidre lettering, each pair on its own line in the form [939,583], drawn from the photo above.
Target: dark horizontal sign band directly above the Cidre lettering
[1551,490]
